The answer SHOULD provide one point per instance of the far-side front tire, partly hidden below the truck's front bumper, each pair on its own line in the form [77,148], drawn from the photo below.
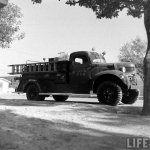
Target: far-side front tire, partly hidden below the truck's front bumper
[130,97]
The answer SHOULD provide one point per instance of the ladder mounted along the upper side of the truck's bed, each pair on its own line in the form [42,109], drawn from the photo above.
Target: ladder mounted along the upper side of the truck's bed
[34,67]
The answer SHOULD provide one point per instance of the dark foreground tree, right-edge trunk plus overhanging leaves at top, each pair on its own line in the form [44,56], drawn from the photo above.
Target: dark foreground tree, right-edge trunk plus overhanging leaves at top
[110,9]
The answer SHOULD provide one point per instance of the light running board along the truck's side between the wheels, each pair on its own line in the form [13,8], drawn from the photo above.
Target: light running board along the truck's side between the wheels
[69,94]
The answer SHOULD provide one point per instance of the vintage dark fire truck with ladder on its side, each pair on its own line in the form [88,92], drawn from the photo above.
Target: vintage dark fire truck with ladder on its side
[85,72]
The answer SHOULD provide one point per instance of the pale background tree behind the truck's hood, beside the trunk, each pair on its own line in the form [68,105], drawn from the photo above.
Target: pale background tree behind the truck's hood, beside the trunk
[134,51]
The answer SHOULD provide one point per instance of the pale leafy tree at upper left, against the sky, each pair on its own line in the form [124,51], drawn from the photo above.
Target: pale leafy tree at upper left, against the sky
[10,25]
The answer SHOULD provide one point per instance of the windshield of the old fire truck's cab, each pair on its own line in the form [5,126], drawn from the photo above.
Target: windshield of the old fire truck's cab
[97,58]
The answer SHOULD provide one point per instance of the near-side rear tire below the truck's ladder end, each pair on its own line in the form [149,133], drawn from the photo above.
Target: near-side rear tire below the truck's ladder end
[32,93]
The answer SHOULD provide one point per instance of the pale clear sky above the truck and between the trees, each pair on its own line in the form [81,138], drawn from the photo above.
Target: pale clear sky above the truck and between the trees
[53,27]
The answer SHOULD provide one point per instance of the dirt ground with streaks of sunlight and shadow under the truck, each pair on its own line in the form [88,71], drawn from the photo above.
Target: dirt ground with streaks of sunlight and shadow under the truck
[77,124]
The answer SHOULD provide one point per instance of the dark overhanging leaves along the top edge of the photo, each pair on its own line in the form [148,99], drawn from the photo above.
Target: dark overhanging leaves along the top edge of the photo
[109,8]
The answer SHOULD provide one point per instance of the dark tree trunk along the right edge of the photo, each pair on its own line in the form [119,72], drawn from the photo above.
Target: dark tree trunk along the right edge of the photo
[146,105]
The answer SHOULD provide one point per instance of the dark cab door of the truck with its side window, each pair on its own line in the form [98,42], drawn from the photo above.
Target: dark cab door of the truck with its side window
[79,79]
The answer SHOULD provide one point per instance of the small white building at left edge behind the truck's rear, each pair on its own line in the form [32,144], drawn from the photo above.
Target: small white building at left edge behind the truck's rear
[4,85]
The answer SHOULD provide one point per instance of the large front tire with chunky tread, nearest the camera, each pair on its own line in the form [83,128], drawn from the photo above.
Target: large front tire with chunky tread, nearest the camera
[109,93]
